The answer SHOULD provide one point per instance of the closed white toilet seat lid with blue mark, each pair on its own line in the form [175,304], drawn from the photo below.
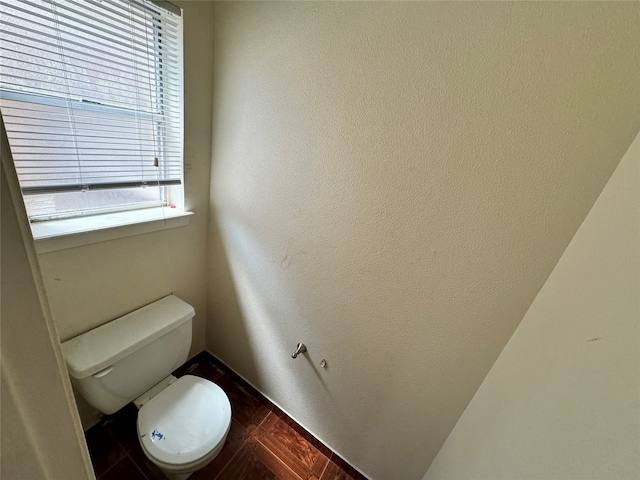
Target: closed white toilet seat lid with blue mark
[185,421]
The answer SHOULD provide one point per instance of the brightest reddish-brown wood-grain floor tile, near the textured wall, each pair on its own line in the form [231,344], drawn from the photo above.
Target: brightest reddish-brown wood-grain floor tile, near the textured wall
[290,447]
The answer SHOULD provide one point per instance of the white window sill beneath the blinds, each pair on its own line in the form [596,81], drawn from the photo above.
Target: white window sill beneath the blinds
[75,232]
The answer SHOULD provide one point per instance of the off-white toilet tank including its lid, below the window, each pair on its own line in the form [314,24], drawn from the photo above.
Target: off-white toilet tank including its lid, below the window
[116,362]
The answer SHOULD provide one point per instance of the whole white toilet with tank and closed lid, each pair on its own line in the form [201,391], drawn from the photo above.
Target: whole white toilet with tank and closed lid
[182,423]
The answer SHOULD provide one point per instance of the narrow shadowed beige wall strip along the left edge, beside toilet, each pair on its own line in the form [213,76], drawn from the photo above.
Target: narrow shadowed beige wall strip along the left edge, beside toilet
[41,433]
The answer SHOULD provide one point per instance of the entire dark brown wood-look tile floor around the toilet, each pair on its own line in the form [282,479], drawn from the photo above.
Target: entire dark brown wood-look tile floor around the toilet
[263,442]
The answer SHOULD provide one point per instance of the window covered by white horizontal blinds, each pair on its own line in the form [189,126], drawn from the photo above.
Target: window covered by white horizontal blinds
[91,98]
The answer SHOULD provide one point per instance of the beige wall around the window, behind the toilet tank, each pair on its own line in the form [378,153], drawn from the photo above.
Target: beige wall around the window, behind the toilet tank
[93,284]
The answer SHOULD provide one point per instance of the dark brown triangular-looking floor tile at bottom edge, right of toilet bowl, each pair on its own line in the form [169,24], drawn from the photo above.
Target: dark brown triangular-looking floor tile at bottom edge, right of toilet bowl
[254,462]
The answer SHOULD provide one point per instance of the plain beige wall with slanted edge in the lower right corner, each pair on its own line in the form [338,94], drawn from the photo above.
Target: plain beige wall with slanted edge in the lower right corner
[563,399]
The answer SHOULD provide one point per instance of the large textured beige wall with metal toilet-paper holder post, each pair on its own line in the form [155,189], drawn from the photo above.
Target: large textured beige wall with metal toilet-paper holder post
[392,184]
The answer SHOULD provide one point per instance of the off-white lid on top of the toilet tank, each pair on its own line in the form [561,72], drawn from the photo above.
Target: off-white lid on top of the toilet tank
[103,346]
